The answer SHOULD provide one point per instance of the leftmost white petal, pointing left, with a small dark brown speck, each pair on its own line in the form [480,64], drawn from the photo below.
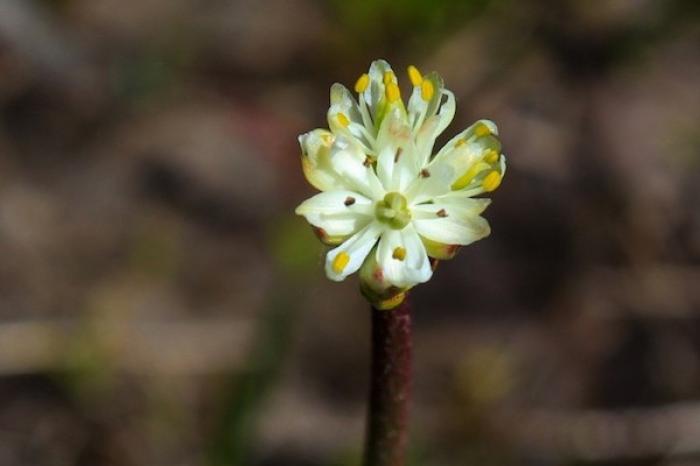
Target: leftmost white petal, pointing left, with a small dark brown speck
[338,213]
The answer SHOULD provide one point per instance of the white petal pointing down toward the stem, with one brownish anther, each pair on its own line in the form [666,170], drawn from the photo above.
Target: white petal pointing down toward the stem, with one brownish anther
[411,265]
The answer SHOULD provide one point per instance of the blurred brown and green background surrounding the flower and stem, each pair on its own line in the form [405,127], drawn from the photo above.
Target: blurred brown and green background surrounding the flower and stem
[160,304]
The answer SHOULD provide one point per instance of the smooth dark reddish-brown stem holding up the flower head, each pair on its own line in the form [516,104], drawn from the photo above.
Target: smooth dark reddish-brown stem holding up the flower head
[390,386]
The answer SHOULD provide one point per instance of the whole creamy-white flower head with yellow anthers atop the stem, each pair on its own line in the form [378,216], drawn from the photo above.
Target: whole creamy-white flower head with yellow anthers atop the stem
[387,204]
